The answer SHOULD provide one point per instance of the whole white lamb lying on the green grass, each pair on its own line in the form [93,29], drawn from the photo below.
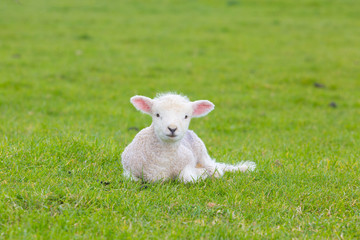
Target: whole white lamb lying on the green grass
[167,149]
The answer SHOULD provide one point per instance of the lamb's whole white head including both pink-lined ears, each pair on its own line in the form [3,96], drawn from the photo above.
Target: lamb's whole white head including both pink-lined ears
[171,113]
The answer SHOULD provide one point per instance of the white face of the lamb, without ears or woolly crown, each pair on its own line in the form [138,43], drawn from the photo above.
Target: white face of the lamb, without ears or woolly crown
[171,120]
